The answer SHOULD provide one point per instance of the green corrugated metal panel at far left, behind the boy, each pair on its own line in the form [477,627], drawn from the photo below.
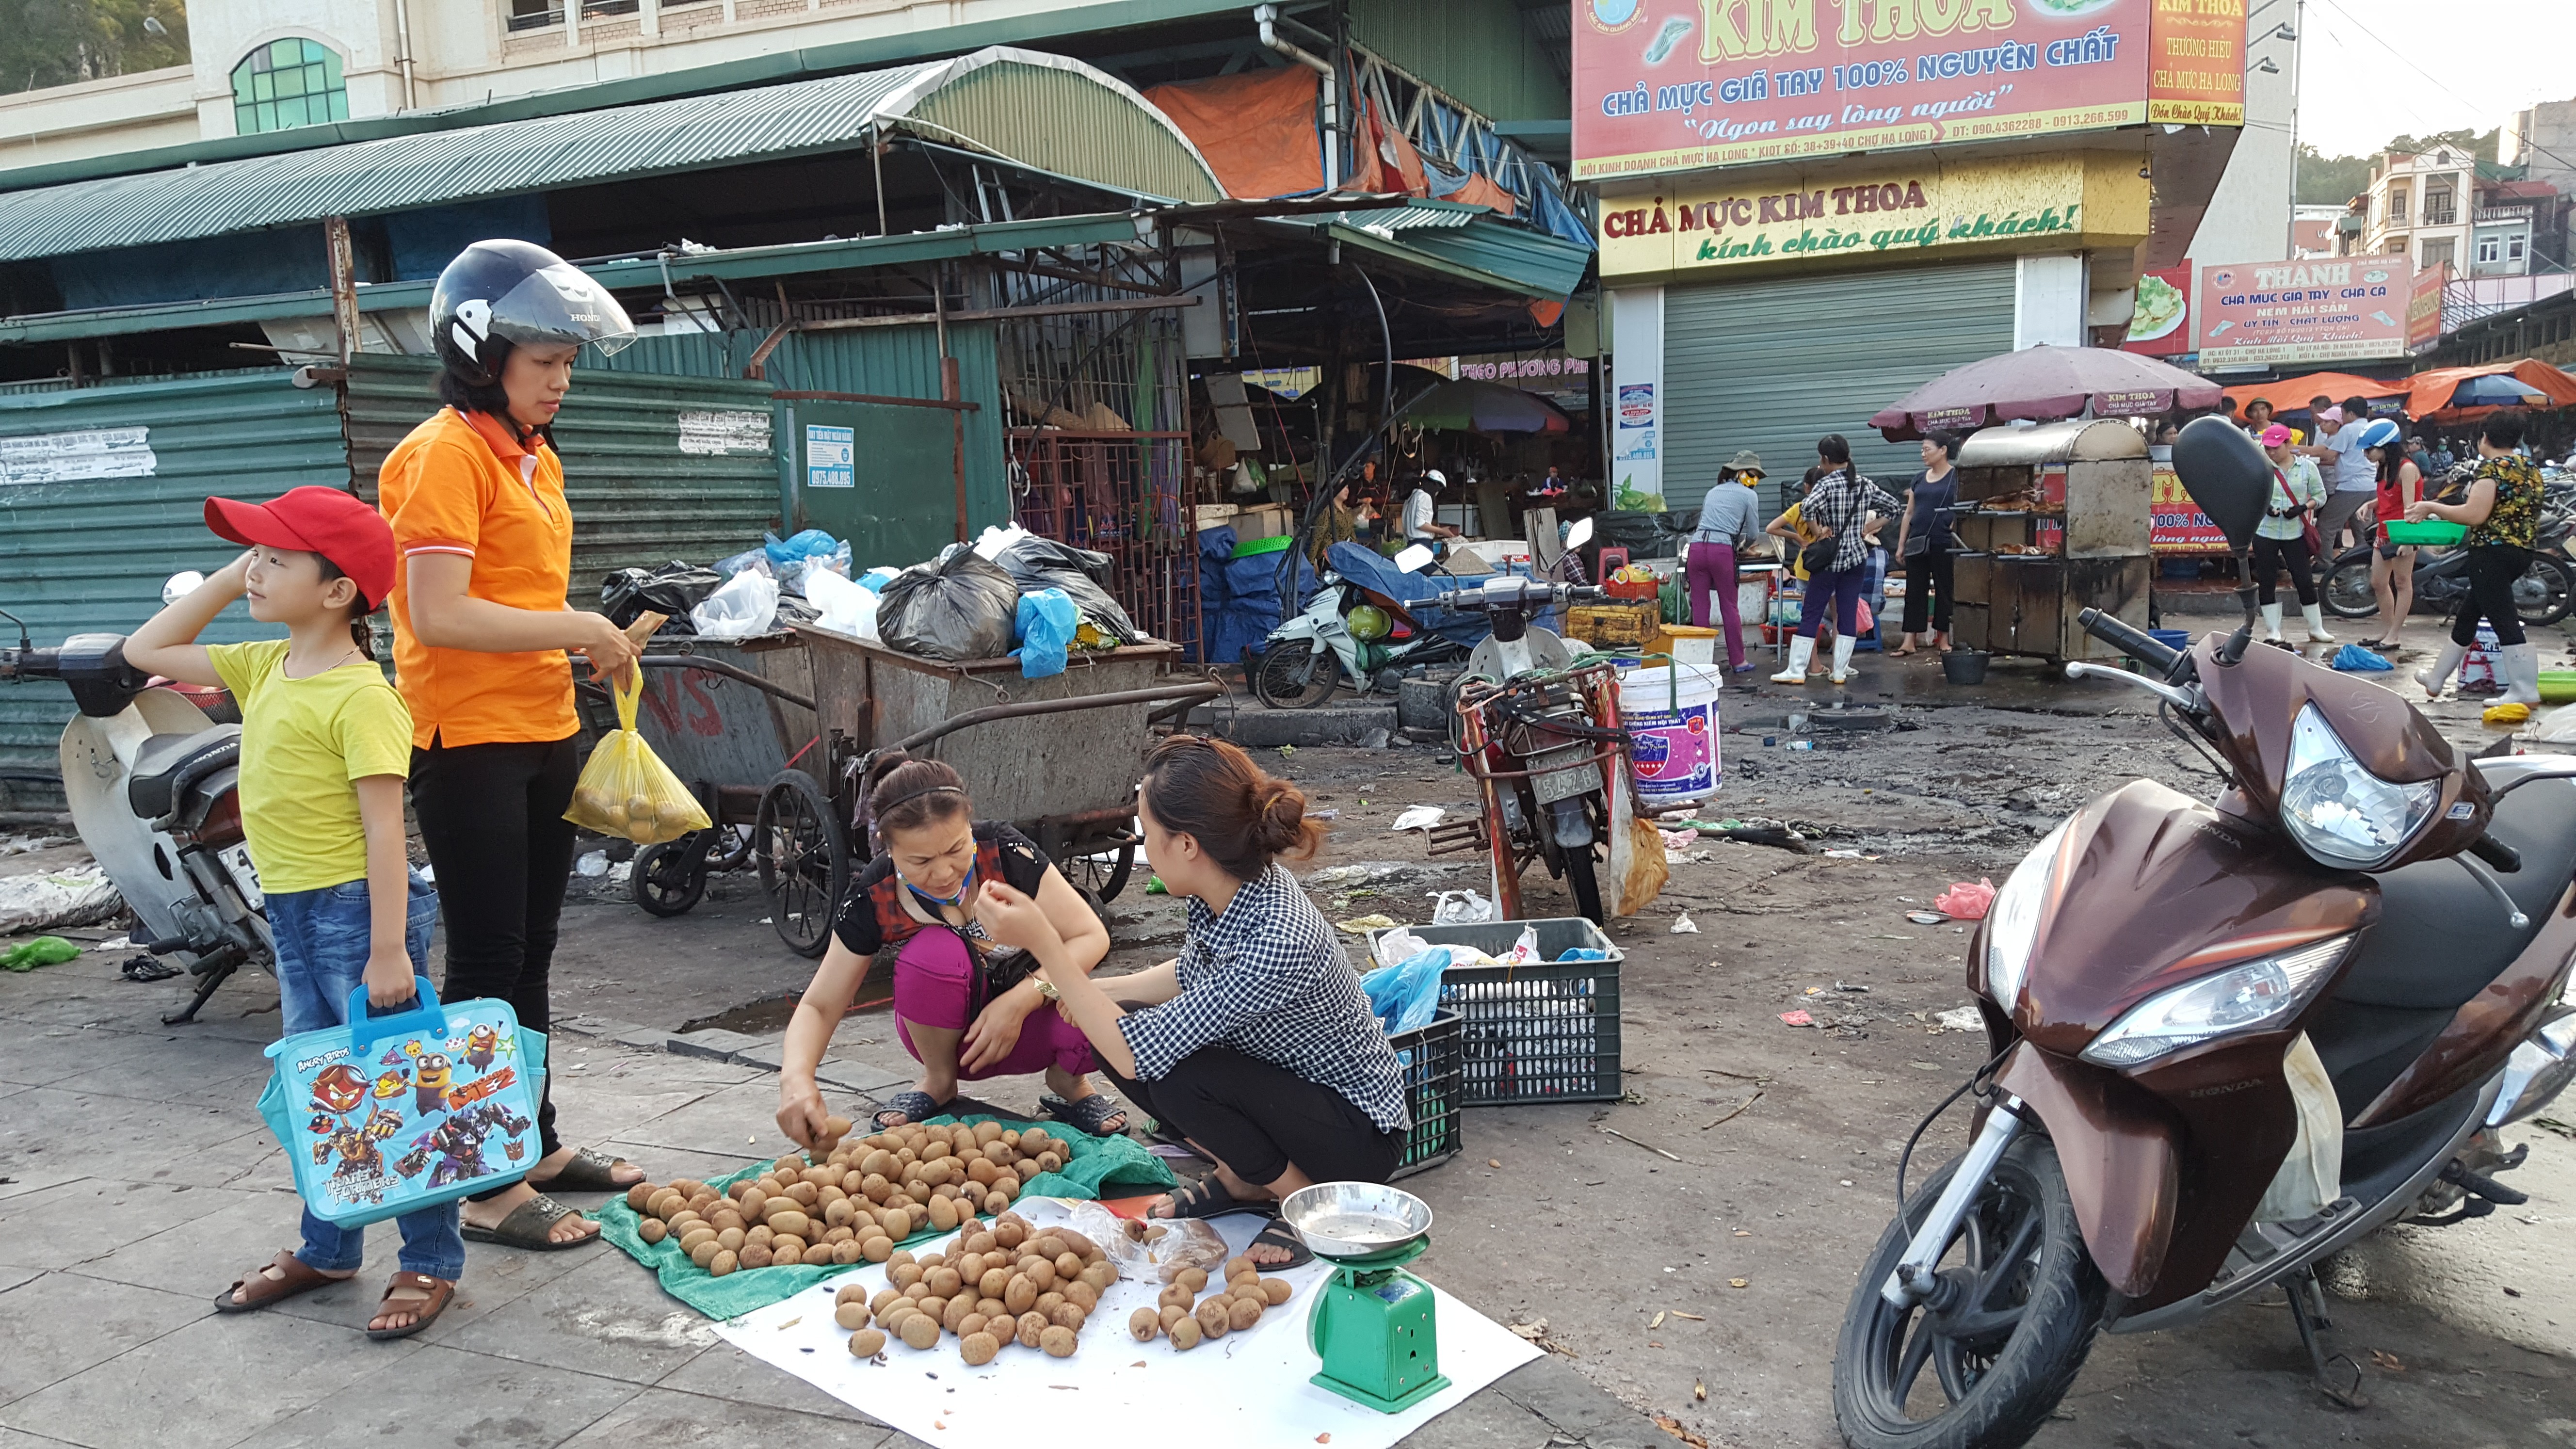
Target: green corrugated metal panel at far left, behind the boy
[91,553]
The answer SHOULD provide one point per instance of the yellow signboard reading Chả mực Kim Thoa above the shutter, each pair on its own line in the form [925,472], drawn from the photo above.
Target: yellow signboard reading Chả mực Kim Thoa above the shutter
[1874,213]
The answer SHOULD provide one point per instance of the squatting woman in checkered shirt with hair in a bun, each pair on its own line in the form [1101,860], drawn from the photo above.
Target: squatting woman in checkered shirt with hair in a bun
[1256,1045]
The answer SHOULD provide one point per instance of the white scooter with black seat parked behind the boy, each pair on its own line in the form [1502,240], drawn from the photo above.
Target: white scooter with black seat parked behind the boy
[153,795]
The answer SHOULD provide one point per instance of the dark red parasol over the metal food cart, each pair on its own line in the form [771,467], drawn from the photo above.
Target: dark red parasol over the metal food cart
[2044,385]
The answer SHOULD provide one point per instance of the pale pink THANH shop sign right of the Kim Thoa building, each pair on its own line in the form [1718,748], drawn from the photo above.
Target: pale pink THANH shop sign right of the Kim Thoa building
[2304,311]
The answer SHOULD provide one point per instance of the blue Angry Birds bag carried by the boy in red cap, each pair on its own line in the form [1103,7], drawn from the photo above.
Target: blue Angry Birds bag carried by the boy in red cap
[398,1113]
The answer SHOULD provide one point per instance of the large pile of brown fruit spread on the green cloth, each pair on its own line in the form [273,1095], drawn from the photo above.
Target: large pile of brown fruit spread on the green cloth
[857,1205]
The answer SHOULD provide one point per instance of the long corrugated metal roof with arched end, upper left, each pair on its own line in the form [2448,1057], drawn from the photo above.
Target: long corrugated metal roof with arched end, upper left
[599,146]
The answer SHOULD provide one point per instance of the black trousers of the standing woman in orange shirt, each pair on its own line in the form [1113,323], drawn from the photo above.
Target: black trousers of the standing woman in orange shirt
[493,824]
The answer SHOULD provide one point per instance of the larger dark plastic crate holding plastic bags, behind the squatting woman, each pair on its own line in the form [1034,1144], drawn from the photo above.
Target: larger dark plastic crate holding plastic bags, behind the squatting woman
[1542,1033]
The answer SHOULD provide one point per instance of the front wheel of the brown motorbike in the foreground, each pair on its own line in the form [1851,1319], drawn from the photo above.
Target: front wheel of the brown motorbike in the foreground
[2021,1316]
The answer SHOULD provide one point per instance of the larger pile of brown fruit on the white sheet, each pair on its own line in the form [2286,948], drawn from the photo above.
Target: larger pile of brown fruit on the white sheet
[998,1285]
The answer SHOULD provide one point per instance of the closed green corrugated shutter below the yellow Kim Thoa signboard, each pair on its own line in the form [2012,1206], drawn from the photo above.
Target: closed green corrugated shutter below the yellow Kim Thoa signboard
[1781,362]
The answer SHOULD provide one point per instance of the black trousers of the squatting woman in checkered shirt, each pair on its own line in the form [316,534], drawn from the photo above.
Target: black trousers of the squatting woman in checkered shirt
[1256,1120]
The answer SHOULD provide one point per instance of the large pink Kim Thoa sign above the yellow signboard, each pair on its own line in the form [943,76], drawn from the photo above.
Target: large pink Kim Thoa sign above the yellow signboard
[1696,84]
